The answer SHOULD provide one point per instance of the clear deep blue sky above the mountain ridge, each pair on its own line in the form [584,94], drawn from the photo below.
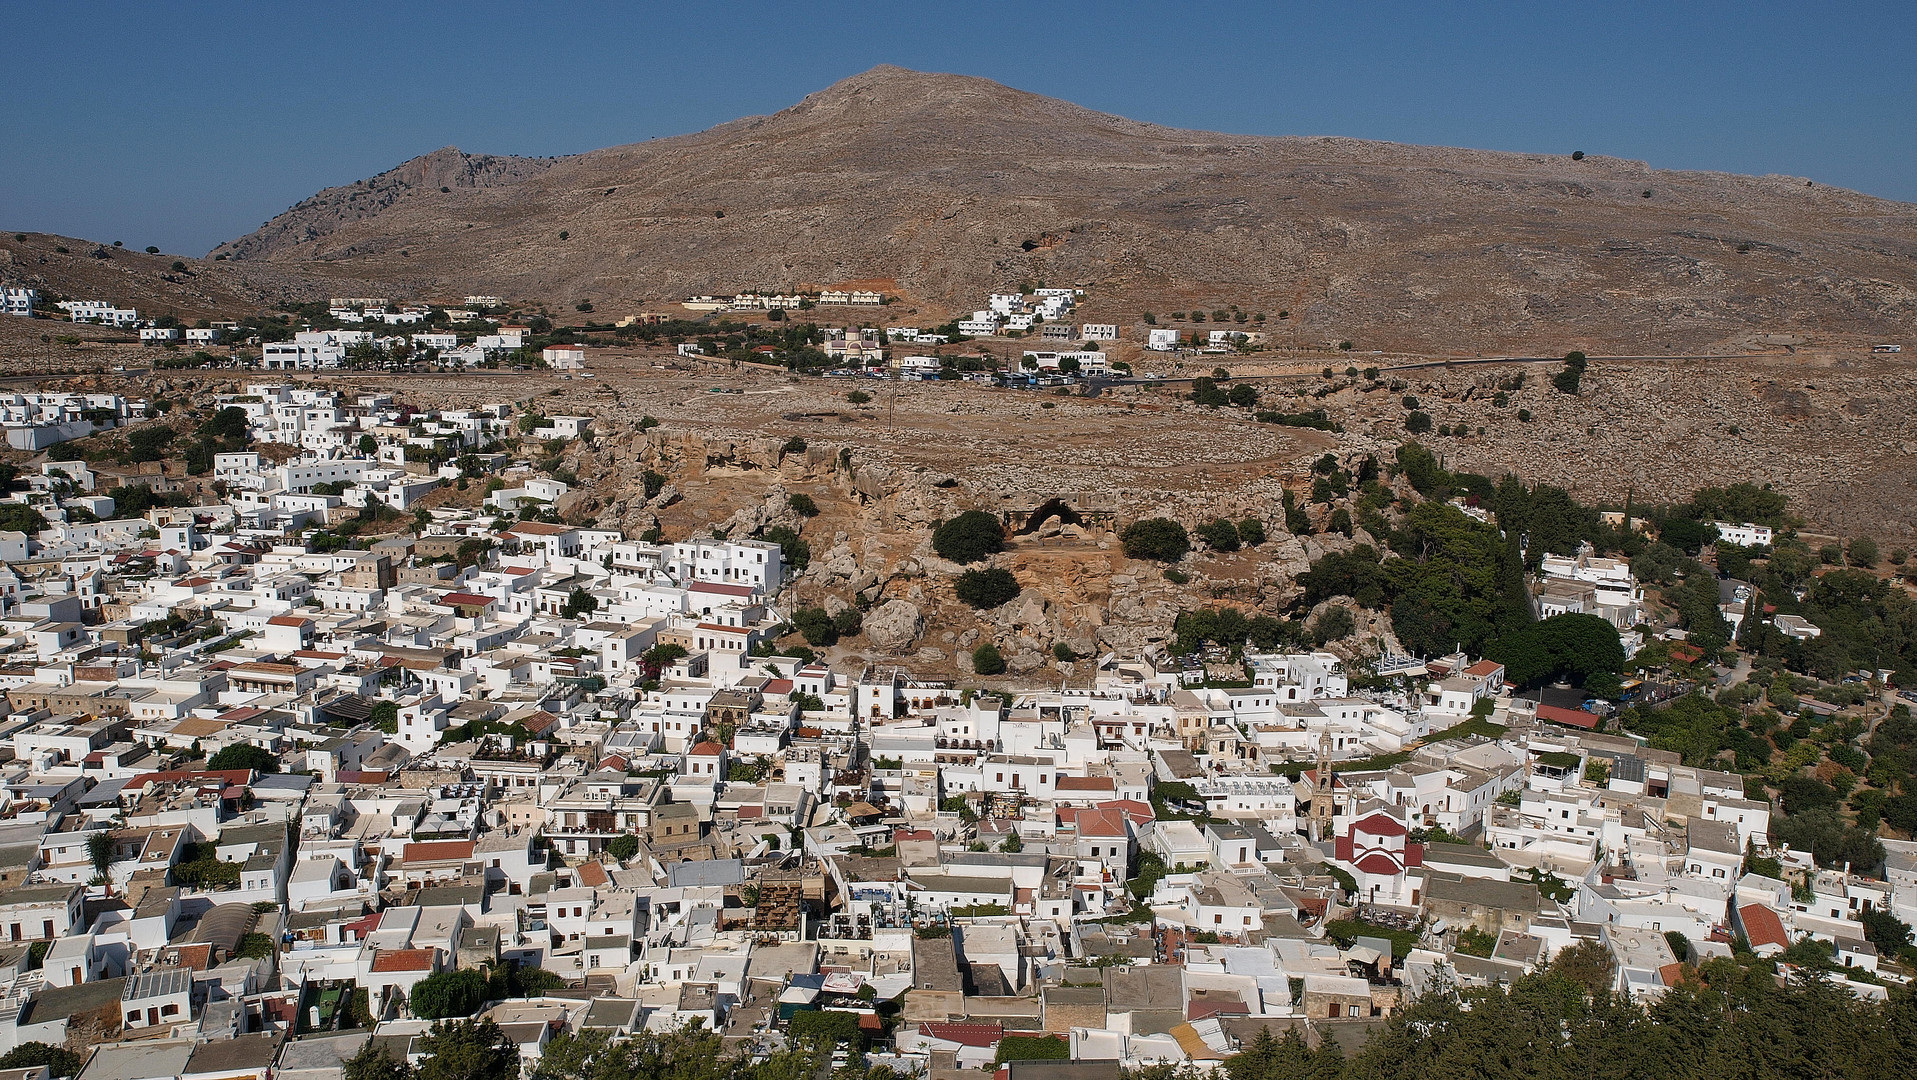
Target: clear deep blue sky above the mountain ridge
[189,124]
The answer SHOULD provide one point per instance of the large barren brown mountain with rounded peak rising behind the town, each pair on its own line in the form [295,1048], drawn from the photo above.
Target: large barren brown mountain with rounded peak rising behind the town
[952,187]
